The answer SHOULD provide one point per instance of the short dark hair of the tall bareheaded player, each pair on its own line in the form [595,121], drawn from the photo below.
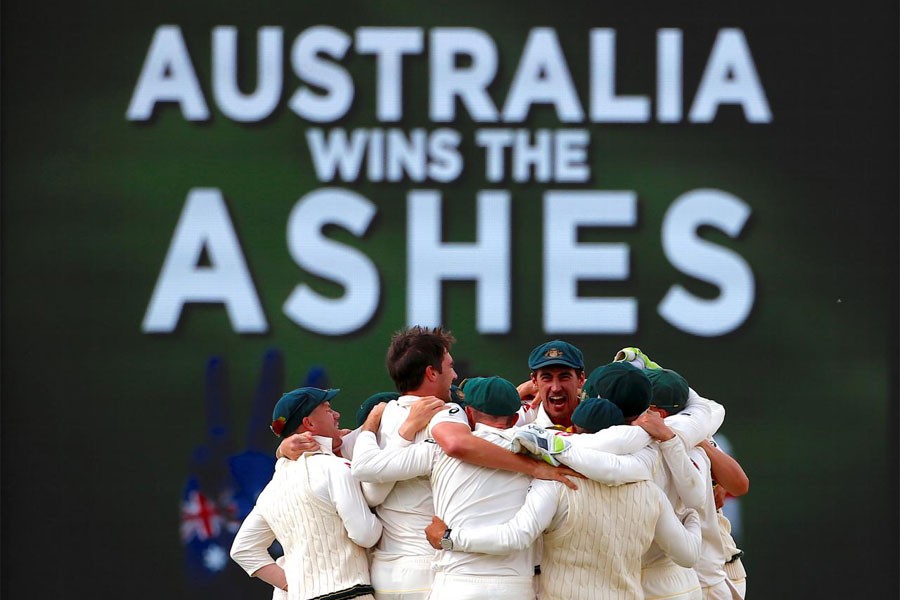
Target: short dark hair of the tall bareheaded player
[414,349]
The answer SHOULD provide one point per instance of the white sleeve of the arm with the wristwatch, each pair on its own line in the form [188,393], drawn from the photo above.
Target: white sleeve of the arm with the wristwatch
[520,532]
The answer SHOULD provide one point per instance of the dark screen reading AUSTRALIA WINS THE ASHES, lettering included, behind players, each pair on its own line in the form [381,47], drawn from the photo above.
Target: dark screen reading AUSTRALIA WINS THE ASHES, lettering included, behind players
[153,241]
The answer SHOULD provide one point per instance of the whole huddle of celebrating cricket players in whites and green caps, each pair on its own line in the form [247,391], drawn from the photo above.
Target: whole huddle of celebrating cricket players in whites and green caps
[567,486]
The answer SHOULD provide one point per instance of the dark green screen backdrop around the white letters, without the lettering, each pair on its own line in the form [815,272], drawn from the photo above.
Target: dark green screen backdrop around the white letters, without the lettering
[99,420]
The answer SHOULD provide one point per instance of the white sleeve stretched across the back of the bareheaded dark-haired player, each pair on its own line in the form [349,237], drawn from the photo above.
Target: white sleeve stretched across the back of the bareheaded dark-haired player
[392,463]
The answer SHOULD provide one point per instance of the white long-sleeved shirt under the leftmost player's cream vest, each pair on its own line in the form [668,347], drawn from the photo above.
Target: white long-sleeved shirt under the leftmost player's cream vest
[331,481]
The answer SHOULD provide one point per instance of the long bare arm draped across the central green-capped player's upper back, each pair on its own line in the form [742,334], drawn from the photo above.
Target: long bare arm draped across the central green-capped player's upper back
[456,440]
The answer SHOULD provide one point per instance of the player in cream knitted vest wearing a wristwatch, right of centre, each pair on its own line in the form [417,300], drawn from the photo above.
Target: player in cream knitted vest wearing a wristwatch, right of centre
[593,539]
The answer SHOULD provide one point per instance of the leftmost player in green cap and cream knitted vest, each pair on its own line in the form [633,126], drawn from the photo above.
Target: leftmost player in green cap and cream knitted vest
[314,507]
